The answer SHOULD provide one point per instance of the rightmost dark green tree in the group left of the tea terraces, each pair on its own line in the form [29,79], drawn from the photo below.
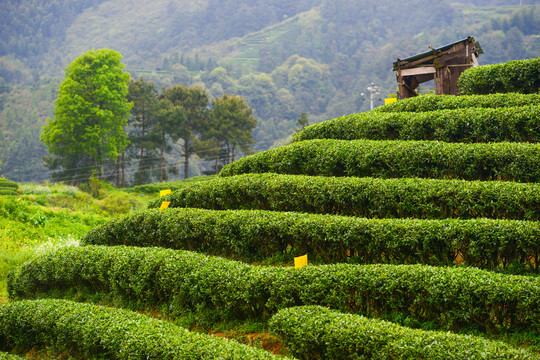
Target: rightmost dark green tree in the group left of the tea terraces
[230,128]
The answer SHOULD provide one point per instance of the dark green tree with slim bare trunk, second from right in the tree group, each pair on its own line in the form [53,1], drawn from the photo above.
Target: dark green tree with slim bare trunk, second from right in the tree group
[185,114]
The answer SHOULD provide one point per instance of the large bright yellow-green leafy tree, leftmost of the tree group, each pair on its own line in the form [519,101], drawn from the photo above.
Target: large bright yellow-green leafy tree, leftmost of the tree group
[89,116]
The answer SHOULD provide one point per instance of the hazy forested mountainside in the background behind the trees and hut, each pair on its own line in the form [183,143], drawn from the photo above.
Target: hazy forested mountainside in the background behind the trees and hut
[284,57]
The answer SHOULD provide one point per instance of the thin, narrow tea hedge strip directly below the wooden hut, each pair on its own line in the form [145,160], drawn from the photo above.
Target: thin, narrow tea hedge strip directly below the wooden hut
[451,102]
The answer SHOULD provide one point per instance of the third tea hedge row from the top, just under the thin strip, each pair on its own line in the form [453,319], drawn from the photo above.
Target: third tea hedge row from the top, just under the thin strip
[513,124]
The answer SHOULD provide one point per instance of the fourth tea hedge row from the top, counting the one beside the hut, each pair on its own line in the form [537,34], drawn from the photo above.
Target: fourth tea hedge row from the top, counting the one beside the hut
[395,159]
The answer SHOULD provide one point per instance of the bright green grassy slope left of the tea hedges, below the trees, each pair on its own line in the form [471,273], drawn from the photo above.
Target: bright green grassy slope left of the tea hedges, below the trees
[45,217]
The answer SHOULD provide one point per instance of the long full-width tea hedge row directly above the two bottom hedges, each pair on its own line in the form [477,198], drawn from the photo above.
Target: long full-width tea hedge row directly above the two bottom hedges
[177,280]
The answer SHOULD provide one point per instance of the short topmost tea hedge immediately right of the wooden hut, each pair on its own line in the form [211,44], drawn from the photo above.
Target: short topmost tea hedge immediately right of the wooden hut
[522,76]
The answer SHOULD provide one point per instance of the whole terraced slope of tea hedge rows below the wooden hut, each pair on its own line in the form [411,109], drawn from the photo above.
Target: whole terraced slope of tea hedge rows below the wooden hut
[421,229]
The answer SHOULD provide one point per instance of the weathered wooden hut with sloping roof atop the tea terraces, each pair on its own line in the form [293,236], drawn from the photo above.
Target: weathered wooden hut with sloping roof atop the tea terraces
[444,65]
